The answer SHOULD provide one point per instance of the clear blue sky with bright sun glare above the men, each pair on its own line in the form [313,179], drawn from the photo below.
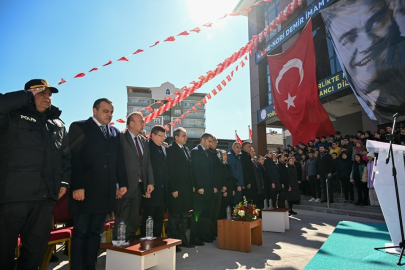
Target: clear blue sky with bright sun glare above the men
[58,39]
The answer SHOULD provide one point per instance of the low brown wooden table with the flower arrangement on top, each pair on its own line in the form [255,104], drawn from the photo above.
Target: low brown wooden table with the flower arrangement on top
[239,235]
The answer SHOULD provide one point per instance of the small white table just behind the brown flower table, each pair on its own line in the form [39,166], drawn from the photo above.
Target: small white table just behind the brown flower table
[275,220]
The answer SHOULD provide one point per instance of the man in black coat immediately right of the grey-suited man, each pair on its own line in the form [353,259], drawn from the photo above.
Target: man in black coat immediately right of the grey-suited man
[155,206]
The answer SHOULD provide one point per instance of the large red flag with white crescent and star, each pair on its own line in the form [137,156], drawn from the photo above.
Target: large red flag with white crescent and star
[295,90]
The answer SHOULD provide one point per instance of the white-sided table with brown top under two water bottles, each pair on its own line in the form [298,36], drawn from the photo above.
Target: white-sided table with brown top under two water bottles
[158,253]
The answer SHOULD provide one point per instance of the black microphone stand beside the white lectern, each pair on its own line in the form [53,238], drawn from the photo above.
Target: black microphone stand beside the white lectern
[401,245]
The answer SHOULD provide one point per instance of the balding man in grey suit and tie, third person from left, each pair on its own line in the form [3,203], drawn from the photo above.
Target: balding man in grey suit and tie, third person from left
[135,149]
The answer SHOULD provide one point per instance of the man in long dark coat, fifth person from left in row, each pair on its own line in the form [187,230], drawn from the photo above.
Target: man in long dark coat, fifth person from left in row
[180,187]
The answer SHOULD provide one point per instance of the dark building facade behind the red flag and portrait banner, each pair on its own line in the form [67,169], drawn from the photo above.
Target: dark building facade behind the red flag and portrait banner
[335,93]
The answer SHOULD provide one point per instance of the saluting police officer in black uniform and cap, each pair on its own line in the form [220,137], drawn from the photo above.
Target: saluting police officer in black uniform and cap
[34,171]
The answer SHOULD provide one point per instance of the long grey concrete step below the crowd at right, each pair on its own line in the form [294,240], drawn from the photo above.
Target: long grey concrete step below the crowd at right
[337,211]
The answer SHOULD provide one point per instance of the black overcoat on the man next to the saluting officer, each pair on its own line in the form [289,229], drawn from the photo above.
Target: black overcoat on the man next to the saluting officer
[97,166]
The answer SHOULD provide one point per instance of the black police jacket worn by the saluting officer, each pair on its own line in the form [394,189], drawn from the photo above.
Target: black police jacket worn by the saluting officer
[34,154]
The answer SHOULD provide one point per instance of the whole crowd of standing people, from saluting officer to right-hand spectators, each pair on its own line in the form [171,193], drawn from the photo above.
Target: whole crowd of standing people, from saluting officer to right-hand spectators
[107,170]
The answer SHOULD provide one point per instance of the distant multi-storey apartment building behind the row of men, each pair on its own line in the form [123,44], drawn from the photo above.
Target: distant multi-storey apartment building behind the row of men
[194,122]
